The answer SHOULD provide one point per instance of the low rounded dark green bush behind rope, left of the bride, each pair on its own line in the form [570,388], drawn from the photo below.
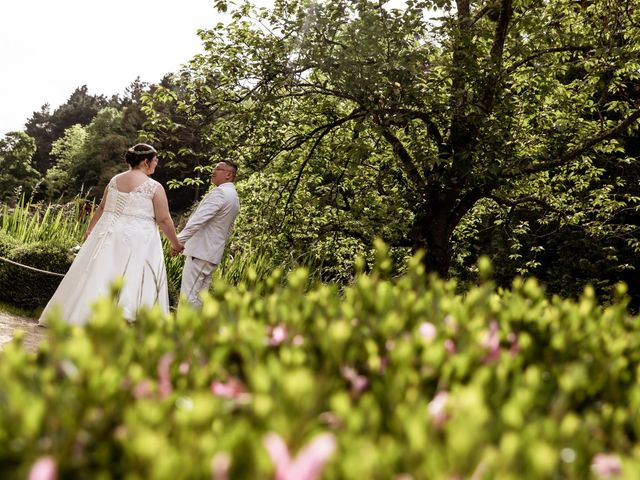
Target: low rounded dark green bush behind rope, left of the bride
[27,288]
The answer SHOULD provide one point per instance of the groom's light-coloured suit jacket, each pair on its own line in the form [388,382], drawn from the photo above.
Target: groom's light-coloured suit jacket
[209,227]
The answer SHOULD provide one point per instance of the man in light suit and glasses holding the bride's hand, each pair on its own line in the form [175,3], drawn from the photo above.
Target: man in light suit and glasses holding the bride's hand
[206,233]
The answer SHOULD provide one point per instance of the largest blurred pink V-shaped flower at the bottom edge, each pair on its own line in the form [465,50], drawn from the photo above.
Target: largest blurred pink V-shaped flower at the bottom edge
[307,465]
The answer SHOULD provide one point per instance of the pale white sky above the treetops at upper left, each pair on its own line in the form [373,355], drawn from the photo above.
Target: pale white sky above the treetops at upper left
[50,47]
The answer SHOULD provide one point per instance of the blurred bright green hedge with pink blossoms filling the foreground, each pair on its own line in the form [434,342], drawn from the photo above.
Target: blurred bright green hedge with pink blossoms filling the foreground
[406,376]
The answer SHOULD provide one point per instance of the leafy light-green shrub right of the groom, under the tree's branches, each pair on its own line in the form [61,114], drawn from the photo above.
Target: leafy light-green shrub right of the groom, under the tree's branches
[334,215]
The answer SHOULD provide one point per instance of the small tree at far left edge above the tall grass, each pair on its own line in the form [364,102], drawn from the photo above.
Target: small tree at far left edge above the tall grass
[17,175]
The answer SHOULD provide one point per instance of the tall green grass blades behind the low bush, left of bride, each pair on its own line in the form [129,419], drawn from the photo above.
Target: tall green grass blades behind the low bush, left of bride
[30,222]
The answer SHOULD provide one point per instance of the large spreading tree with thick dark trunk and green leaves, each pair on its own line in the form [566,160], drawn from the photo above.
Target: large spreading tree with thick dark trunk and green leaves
[508,101]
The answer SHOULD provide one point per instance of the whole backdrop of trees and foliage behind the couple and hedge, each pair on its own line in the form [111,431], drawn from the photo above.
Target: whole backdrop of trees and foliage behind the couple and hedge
[462,128]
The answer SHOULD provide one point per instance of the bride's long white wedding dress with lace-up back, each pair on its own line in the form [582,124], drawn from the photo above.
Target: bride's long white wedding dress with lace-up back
[124,242]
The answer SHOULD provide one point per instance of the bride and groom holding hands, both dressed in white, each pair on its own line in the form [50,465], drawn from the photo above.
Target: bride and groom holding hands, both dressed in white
[122,240]
